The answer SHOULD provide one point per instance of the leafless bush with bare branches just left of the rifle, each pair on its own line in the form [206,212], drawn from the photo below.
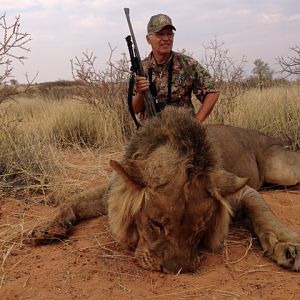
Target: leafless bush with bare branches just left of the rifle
[104,90]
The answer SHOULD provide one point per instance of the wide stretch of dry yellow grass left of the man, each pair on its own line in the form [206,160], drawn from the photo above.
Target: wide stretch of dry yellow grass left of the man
[34,131]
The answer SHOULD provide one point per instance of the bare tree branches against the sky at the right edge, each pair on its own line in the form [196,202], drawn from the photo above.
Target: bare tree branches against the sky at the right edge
[291,64]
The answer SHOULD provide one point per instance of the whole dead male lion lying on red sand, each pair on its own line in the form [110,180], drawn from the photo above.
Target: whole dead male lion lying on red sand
[177,188]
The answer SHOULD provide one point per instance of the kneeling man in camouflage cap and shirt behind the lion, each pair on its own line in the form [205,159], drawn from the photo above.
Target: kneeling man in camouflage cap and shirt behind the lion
[172,77]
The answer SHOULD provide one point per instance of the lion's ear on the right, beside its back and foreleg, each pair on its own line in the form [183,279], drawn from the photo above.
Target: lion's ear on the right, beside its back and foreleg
[225,183]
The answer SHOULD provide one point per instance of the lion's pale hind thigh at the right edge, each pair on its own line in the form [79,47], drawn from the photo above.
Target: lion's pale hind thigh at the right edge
[281,166]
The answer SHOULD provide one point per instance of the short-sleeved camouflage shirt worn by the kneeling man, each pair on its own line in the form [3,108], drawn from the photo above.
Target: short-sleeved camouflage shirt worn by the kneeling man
[187,76]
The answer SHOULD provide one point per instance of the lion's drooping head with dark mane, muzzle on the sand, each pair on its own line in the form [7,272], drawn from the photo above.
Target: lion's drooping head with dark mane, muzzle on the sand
[167,196]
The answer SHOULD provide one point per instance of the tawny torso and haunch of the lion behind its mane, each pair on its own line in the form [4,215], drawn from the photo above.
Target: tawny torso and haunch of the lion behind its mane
[262,159]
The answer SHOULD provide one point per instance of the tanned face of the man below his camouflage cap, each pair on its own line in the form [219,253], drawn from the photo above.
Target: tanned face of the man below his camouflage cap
[162,41]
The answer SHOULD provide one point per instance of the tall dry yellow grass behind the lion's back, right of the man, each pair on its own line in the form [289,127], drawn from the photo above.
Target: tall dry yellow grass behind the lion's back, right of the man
[274,111]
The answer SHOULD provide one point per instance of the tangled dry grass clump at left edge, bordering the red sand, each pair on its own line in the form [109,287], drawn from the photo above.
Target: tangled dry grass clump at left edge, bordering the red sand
[28,161]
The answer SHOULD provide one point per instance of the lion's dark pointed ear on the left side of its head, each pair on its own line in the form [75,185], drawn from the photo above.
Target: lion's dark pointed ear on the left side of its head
[129,172]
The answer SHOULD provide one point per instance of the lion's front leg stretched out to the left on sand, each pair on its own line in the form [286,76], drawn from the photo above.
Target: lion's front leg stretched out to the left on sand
[85,205]
